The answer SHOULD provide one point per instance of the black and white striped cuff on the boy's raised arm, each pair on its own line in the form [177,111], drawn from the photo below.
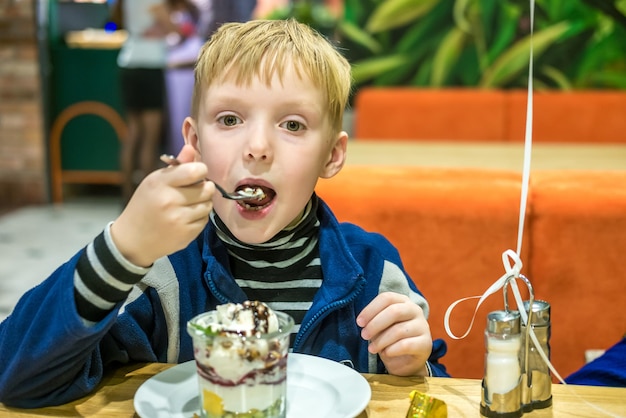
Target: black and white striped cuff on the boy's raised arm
[103,278]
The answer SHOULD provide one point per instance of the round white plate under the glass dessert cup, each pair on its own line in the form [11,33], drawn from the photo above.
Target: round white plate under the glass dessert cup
[316,387]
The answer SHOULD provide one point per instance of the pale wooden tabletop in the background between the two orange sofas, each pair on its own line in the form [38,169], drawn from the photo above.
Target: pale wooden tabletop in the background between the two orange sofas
[495,155]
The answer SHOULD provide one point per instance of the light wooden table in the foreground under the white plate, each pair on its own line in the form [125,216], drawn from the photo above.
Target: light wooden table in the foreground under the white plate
[390,397]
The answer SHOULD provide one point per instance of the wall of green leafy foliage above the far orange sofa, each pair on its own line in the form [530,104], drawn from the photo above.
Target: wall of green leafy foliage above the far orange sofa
[589,54]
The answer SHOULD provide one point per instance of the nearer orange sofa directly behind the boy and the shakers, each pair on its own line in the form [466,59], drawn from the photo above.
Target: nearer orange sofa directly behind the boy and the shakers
[451,227]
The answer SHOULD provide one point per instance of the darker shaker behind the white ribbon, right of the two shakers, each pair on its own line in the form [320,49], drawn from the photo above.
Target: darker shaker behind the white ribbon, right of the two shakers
[536,379]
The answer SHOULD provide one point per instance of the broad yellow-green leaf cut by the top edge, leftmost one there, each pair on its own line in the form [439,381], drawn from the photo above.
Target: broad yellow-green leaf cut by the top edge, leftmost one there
[395,13]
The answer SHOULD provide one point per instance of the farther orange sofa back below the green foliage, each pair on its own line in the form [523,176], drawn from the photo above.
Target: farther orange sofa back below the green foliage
[489,115]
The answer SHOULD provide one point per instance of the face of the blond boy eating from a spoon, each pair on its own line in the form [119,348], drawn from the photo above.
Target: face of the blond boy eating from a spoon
[275,136]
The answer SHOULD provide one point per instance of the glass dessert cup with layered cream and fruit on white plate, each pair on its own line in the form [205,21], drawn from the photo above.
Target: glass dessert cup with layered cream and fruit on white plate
[241,376]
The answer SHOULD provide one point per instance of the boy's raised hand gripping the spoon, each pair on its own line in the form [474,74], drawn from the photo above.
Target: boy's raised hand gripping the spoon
[168,210]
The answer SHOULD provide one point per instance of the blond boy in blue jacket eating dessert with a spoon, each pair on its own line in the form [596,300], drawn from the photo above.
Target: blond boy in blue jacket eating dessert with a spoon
[266,112]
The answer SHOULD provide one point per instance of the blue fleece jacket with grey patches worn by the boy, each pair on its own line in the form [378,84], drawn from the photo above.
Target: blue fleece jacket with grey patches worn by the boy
[49,357]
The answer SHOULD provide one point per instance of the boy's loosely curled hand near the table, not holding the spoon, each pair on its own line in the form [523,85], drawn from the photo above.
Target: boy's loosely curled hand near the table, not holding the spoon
[397,331]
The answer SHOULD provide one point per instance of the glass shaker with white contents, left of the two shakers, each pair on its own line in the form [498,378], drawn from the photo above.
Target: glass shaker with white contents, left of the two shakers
[501,386]
